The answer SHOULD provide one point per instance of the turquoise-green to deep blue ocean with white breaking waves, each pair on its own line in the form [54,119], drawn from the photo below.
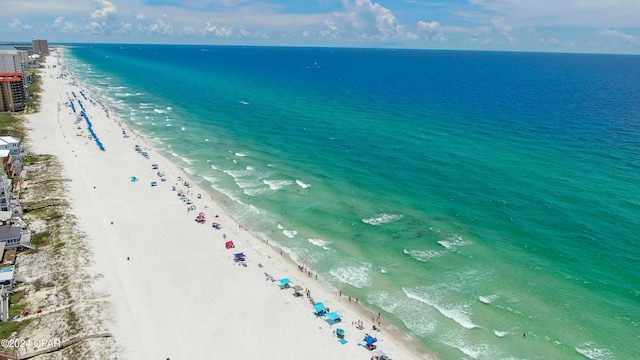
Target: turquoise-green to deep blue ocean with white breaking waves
[470,197]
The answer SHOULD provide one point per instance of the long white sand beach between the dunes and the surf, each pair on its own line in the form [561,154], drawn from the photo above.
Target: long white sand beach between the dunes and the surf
[181,295]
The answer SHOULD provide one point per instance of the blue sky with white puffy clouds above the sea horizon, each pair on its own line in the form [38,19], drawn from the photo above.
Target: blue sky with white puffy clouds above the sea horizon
[594,26]
